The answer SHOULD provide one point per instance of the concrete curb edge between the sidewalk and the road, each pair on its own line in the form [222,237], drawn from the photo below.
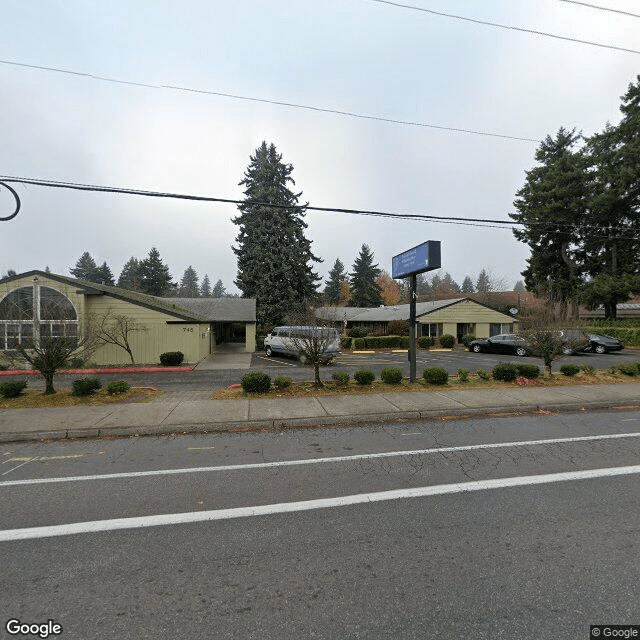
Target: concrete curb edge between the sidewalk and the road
[280,424]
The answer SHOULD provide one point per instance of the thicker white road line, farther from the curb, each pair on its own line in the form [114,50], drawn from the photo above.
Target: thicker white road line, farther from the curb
[306,505]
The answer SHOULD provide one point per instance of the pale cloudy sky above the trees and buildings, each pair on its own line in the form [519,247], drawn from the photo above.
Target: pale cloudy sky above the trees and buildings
[362,56]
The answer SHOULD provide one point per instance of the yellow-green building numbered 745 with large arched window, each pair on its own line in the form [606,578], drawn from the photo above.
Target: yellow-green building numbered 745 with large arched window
[38,303]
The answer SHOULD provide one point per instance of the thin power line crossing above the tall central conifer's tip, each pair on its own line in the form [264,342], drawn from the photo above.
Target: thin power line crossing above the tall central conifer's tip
[293,105]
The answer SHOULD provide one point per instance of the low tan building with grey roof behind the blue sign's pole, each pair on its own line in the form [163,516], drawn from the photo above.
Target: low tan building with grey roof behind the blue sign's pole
[457,317]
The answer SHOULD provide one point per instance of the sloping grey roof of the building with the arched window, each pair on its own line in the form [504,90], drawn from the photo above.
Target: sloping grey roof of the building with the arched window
[187,309]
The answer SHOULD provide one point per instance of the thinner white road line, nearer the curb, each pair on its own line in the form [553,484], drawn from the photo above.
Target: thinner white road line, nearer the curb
[292,463]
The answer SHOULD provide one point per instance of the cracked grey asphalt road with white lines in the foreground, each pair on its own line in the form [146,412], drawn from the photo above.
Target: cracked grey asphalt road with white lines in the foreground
[508,559]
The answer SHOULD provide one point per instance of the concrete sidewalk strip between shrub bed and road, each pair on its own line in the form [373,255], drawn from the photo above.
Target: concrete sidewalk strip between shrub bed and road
[170,416]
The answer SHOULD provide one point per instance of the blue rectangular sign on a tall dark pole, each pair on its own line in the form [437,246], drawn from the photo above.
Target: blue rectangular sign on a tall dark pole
[424,257]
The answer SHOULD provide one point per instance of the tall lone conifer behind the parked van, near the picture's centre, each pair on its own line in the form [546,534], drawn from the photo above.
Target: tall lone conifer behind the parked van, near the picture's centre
[273,253]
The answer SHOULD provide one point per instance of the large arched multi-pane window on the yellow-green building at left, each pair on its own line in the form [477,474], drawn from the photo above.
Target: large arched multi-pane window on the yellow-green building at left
[28,313]
